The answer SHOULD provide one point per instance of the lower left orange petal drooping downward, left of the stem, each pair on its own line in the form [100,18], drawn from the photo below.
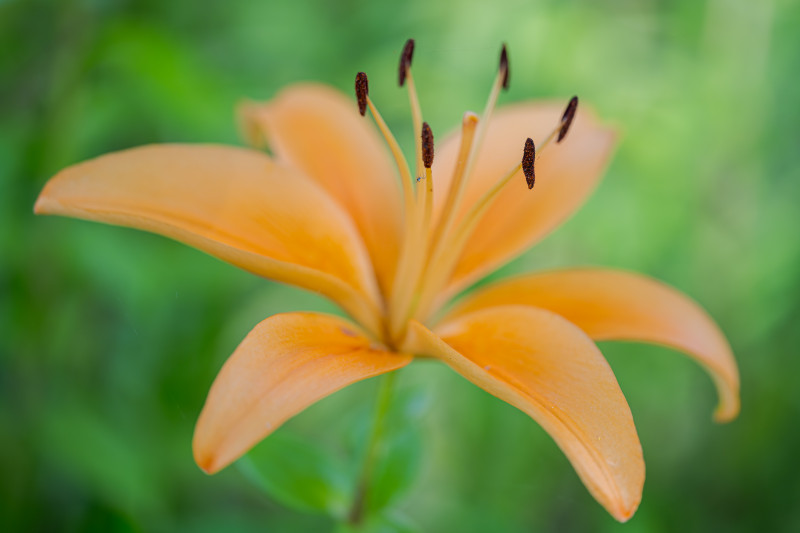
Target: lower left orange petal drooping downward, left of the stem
[286,363]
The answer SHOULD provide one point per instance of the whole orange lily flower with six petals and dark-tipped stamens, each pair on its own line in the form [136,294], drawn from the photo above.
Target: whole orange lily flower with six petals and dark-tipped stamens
[327,213]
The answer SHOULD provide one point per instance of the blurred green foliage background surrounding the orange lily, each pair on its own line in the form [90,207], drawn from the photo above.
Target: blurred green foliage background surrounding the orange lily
[110,338]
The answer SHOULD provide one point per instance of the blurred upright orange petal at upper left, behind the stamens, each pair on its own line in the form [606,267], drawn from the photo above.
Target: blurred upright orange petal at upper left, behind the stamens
[319,131]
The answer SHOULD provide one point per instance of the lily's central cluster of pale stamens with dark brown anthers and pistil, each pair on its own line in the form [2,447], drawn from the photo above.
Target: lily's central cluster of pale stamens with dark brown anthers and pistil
[429,252]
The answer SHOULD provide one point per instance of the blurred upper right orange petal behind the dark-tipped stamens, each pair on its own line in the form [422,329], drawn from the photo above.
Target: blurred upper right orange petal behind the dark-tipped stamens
[566,174]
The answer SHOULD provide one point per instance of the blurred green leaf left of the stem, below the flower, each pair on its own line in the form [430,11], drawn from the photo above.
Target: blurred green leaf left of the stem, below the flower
[299,474]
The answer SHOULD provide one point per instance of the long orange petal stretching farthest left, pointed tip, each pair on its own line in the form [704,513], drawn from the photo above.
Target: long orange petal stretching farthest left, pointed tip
[233,203]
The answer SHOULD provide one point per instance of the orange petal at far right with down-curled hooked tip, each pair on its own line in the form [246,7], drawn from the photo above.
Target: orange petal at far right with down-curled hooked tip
[616,305]
